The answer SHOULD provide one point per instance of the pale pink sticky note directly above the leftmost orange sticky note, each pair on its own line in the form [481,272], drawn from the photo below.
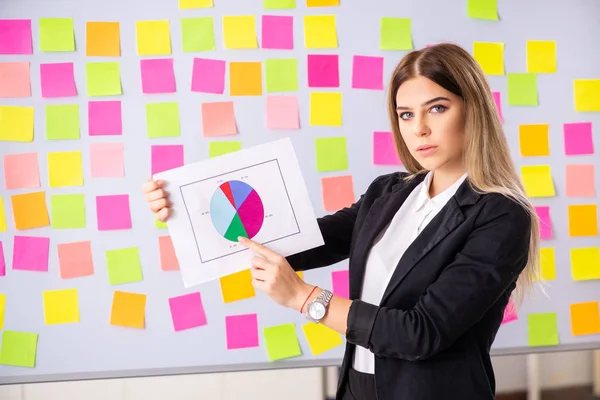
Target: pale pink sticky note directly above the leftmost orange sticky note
[21,171]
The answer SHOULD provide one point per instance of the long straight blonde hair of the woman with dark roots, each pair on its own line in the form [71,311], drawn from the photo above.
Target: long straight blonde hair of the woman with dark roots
[487,157]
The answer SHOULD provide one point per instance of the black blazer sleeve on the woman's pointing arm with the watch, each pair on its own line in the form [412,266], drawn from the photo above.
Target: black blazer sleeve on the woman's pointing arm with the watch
[491,260]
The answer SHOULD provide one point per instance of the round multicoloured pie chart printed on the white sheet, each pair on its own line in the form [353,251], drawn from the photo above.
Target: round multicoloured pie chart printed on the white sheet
[236,210]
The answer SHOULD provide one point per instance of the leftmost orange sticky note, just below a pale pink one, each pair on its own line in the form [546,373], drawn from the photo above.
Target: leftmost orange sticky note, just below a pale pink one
[30,210]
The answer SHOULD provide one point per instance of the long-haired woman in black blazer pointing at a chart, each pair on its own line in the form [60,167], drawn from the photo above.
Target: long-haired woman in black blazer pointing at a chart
[434,254]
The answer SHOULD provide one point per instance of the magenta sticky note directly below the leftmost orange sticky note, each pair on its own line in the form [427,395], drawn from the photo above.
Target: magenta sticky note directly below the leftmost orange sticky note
[30,253]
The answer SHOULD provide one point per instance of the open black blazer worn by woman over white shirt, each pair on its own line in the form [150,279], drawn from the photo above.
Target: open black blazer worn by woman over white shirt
[433,330]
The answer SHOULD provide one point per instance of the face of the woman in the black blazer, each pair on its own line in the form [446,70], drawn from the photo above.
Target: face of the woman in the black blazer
[432,123]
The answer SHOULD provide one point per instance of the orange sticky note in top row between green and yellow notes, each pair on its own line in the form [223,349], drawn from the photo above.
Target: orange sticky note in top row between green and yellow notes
[102,39]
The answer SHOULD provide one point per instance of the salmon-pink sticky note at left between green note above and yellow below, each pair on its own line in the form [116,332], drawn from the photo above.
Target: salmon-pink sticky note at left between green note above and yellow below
[75,259]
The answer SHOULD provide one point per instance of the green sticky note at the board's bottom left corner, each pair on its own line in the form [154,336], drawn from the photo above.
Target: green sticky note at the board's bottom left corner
[18,349]
